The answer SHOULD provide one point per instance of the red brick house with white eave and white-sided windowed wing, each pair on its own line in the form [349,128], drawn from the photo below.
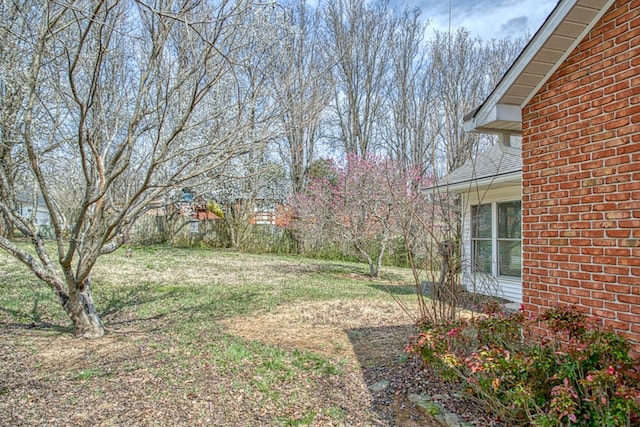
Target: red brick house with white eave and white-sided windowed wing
[573,96]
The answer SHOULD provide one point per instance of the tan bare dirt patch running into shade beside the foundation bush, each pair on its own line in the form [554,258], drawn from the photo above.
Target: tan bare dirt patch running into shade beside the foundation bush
[371,336]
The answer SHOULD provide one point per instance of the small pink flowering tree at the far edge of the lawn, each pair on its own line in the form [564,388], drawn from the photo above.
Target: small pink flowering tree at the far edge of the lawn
[357,204]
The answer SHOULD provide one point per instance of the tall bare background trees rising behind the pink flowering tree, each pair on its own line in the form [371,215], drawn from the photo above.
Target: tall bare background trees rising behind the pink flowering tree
[358,78]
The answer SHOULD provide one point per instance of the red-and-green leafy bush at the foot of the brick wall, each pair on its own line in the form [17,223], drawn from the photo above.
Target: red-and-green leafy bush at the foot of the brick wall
[577,375]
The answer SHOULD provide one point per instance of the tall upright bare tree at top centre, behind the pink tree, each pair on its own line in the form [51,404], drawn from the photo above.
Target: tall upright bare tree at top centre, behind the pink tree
[358,34]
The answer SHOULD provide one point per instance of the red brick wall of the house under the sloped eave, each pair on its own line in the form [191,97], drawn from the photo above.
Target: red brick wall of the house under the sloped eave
[581,179]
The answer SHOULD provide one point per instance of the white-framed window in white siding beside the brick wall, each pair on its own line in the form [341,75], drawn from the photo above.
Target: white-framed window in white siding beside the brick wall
[496,238]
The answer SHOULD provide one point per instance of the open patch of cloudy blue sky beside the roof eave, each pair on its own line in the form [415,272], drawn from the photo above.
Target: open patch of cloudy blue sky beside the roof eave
[486,19]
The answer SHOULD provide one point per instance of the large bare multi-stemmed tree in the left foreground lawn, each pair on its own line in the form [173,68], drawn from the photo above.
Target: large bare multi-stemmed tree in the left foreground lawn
[124,102]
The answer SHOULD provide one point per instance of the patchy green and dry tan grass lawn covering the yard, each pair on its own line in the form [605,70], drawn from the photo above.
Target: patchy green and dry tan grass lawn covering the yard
[204,338]
